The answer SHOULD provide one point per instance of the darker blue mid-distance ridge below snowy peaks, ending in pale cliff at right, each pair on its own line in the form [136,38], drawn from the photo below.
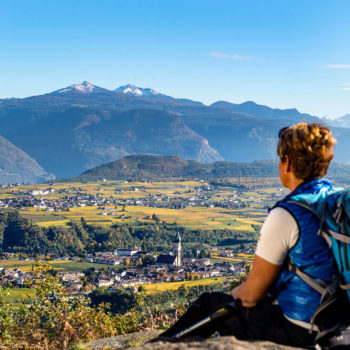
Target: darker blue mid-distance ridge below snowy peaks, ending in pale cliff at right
[71,141]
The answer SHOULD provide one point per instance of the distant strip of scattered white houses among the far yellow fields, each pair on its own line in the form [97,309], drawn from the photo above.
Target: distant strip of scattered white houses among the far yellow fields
[76,197]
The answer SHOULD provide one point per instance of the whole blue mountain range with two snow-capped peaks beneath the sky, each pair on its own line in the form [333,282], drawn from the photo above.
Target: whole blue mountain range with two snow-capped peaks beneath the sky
[83,126]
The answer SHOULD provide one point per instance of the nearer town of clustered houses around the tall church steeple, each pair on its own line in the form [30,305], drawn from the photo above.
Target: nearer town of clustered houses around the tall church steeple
[134,268]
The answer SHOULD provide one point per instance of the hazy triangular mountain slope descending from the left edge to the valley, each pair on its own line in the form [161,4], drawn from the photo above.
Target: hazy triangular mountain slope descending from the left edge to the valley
[17,167]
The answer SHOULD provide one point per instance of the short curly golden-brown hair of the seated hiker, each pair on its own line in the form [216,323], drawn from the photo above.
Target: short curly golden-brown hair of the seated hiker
[309,148]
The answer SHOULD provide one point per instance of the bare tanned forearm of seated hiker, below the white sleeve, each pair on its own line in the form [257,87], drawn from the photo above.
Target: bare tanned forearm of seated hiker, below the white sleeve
[257,284]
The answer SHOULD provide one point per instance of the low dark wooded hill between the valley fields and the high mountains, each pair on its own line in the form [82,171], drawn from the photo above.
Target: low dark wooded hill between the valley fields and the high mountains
[143,167]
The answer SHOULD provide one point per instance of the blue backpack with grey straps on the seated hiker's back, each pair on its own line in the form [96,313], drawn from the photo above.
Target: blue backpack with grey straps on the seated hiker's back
[333,211]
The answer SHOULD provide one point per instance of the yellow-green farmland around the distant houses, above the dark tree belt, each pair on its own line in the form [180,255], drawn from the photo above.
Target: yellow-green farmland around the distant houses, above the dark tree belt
[192,217]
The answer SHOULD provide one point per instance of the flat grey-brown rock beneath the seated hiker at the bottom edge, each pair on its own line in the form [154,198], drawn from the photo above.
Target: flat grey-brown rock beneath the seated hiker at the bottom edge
[137,341]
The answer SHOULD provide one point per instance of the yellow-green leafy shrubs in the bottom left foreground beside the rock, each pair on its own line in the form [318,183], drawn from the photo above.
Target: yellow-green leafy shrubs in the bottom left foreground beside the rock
[55,319]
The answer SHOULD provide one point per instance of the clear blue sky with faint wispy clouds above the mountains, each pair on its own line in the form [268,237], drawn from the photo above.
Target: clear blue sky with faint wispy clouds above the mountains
[281,53]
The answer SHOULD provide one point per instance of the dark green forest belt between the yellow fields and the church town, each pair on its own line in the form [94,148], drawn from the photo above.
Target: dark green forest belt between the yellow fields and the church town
[18,234]
